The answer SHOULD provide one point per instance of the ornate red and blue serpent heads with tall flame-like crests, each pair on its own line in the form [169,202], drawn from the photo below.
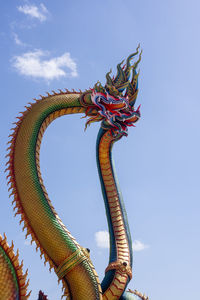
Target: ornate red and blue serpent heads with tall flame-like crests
[114,103]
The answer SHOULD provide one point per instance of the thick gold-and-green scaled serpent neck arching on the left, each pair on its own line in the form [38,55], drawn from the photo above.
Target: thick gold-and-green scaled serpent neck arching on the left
[32,203]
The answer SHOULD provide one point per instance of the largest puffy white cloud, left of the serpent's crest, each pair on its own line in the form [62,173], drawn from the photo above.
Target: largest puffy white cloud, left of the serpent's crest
[34,65]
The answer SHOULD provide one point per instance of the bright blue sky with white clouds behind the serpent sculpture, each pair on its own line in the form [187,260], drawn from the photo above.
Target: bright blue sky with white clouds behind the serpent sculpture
[50,45]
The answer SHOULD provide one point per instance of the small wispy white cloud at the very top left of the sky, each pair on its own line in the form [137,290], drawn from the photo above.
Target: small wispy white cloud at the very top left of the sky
[39,12]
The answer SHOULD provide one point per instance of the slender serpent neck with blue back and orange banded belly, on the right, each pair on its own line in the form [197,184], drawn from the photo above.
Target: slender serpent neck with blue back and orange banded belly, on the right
[120,238]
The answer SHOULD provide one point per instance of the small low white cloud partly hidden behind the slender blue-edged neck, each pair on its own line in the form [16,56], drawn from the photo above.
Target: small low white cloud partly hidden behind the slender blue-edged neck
[102,241]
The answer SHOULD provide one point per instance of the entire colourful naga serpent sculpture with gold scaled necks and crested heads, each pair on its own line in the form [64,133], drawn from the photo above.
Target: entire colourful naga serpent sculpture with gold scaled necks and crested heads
[114,106]
